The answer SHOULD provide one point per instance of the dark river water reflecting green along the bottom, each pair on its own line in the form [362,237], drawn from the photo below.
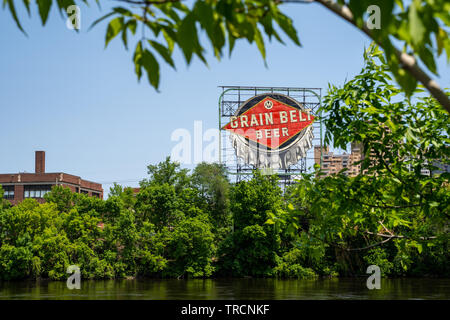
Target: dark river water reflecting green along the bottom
[229,289]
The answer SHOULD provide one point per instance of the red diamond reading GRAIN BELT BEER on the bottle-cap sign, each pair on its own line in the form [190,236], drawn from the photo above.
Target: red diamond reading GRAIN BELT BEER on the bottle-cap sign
[270,121]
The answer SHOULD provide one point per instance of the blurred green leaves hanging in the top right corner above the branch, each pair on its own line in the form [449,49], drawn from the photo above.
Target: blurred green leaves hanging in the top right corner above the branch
[419,26]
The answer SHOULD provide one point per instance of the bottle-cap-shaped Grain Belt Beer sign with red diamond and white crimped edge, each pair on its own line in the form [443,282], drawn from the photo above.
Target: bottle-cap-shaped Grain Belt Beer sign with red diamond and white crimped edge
[271,131]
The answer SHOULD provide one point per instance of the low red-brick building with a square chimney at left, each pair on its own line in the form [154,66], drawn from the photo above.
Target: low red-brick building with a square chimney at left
[18,186]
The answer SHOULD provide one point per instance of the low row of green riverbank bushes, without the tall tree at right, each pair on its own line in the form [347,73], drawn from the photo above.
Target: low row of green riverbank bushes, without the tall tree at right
[198,225]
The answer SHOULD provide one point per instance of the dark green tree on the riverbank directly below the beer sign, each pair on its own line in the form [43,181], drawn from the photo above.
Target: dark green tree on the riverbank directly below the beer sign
[253,246]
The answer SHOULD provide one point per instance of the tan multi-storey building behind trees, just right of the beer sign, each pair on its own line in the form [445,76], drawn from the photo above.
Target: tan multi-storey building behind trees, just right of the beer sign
[333,163]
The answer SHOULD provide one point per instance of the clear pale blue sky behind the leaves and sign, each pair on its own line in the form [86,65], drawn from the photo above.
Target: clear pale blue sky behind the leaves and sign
[62,92]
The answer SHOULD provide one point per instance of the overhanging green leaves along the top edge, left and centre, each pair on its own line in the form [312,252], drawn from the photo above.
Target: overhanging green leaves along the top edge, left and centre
[171,24]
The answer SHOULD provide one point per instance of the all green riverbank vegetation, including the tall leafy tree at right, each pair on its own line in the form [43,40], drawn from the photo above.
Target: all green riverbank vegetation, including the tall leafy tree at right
[185,224]
